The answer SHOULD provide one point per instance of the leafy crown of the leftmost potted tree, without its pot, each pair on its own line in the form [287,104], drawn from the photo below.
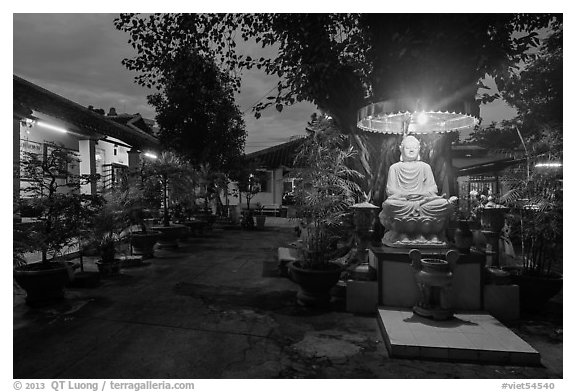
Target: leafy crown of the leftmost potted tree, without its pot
[54,193]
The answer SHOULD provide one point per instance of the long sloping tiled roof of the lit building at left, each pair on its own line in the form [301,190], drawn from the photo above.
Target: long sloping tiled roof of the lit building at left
[28,95]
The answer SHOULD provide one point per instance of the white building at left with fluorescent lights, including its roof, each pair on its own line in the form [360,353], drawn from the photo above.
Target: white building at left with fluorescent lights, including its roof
[103,145]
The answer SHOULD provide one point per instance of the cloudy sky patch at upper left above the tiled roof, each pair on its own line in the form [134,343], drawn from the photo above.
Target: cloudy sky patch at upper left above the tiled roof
[79,57]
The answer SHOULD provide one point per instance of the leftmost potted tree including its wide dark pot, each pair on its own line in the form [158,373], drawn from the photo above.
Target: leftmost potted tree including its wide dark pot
[52,190]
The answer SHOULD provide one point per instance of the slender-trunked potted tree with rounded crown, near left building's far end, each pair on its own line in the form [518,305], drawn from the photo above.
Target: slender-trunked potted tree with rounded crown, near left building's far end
[168,171]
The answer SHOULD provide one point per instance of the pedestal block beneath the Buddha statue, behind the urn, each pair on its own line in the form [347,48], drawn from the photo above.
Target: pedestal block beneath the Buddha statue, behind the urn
[397,284]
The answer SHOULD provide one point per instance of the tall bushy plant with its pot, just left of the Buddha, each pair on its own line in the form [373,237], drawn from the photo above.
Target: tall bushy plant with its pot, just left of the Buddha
[323,199]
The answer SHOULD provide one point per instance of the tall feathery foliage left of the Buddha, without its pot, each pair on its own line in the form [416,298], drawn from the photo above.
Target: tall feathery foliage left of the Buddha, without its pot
[325,194]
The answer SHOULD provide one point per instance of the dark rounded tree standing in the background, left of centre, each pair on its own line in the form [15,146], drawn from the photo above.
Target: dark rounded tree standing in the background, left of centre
[196,112]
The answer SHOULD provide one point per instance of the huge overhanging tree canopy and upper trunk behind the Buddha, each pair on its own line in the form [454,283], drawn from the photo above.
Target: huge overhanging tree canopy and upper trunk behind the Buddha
[341,62]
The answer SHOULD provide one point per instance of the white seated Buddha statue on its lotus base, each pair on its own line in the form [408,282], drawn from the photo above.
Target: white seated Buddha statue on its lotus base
[413,214]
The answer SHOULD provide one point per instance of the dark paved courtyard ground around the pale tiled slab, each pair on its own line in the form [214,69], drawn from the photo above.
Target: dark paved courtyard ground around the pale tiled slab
[215,308]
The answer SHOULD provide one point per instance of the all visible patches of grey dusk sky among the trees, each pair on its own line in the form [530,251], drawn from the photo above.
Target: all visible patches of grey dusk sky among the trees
[78,56]
